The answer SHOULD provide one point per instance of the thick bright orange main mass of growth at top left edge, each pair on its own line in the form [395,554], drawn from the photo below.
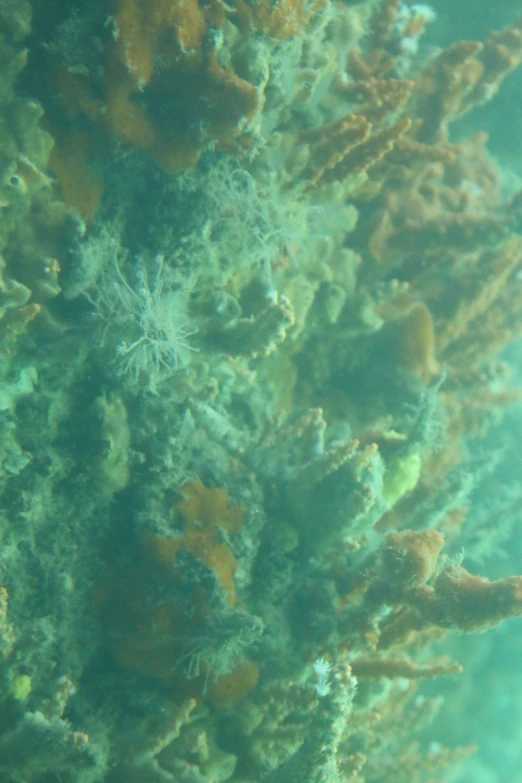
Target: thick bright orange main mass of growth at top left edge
[166,92]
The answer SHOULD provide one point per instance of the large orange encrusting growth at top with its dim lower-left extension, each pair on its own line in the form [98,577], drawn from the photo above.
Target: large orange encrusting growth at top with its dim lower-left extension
[162,91]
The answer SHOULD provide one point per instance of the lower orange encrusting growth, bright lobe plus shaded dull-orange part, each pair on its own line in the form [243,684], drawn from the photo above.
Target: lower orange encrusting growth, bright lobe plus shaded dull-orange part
[151,635]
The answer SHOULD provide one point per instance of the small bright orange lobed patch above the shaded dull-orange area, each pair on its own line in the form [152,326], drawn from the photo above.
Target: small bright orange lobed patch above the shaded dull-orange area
[207,514]
